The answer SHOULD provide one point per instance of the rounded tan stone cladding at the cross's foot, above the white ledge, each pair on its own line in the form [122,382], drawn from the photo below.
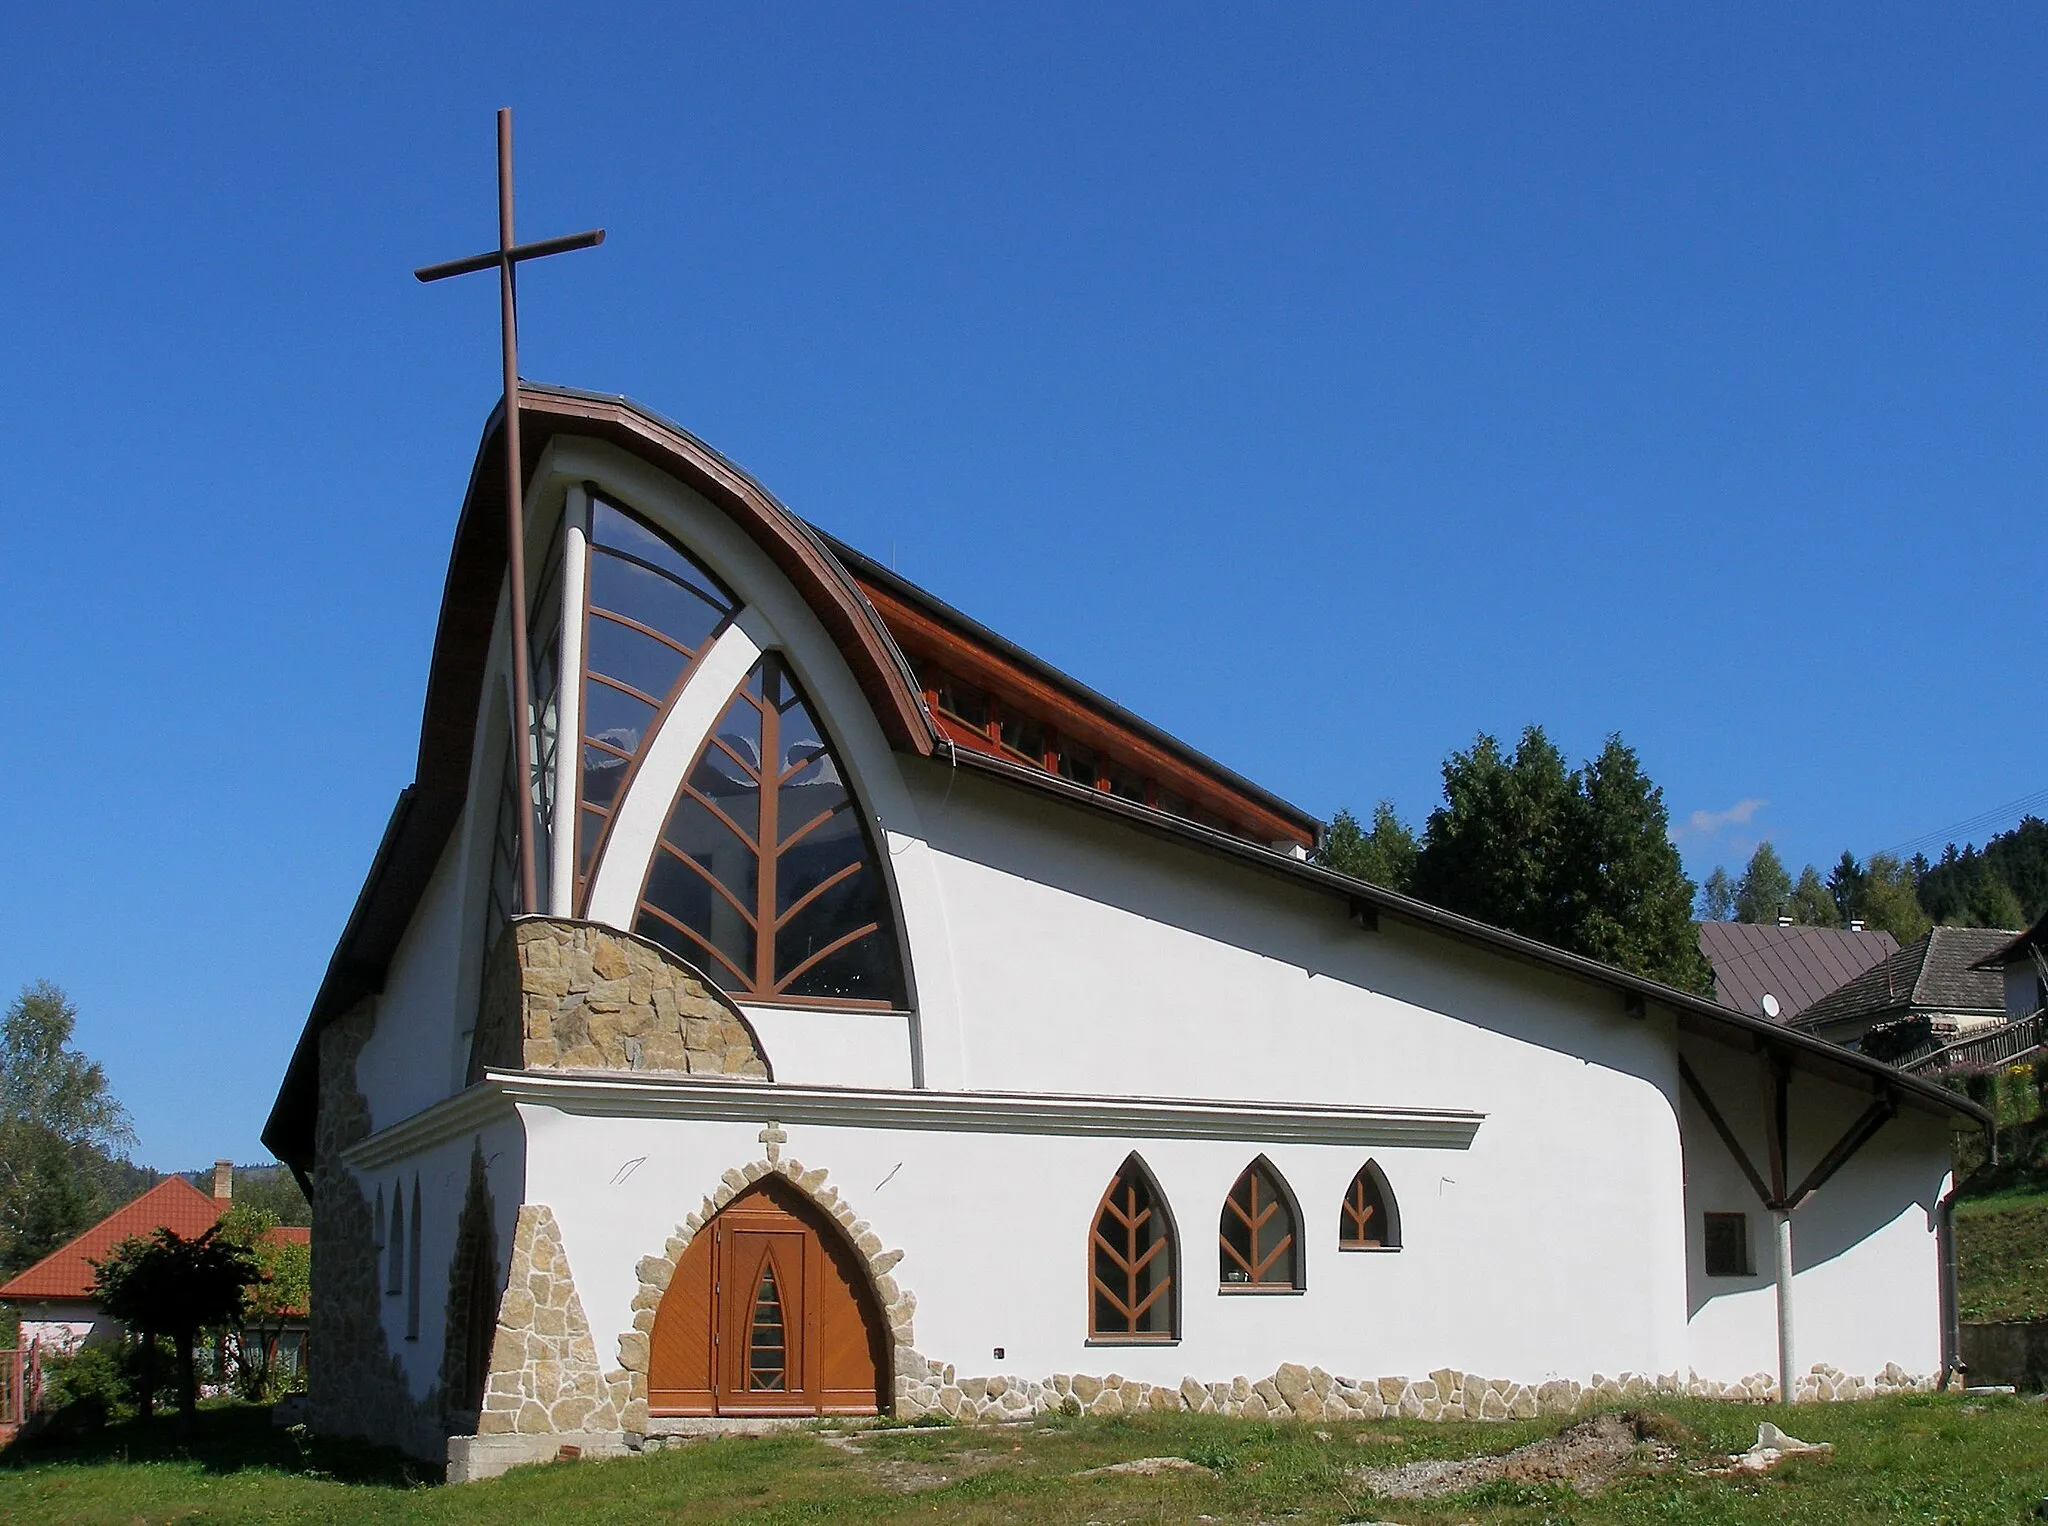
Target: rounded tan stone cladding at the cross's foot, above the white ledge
[579,997]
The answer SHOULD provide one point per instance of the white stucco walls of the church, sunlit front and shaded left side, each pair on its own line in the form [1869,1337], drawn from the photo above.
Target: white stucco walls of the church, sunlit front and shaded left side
[1060,951]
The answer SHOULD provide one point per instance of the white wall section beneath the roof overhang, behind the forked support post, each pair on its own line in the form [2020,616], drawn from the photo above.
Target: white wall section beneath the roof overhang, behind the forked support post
[1865,1253]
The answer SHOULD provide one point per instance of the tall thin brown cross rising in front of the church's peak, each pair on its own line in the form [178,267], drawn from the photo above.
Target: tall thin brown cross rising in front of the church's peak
[507,259]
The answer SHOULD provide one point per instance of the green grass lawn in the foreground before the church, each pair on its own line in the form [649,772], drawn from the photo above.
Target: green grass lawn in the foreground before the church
[1914,1459]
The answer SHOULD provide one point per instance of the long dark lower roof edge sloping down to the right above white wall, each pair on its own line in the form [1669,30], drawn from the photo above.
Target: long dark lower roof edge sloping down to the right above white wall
[1697,1015]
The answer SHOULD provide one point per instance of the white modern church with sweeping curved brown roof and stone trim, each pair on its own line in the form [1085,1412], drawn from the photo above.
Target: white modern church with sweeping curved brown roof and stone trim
[904,1027]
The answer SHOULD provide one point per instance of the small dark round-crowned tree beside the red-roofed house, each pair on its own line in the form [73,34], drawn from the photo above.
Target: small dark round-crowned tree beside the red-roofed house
[169,1285]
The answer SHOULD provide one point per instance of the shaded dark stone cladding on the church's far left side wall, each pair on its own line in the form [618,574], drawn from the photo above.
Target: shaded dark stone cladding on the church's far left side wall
[357,1386]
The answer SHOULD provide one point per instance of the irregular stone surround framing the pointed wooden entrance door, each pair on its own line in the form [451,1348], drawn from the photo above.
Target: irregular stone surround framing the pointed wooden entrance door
[654,1273]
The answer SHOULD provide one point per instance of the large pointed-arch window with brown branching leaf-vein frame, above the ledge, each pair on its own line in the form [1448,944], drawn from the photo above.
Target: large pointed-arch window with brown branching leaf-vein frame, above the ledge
[765,874]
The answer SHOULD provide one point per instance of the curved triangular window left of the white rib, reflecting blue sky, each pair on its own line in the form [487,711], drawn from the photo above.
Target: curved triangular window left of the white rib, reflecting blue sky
[652,611]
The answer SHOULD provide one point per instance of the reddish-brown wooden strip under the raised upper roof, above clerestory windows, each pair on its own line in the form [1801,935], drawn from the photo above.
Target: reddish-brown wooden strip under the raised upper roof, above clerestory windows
[1074,718]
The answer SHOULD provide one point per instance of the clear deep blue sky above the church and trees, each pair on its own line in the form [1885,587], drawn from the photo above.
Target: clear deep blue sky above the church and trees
[1326,386]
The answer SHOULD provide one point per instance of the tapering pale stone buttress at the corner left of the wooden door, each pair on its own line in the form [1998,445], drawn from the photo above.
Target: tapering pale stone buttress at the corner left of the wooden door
[546,1377]
